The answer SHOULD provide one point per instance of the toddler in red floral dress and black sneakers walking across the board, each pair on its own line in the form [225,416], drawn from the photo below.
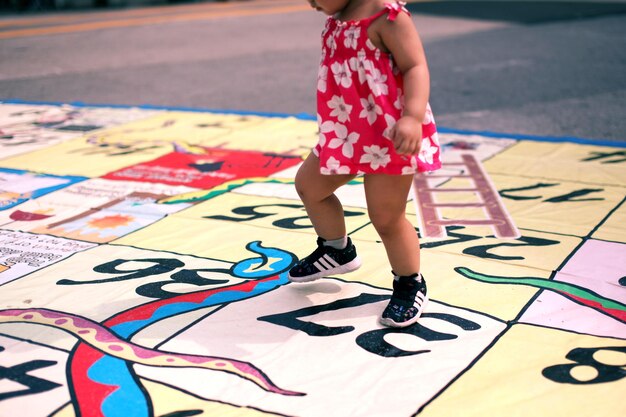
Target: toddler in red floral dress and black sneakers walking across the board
[375,121]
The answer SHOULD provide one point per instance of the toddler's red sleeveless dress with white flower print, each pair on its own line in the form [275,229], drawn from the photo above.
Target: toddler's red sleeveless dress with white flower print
[359,100]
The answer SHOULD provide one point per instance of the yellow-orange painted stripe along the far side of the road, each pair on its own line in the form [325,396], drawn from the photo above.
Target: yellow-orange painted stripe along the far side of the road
[154,17]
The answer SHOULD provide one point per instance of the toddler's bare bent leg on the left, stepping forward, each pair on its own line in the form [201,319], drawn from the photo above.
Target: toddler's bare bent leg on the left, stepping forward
[317,194]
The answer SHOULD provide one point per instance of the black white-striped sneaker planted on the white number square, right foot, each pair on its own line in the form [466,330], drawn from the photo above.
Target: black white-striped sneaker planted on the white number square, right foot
[407,302]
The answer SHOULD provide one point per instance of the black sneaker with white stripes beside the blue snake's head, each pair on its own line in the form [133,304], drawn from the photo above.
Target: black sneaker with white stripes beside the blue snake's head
[325,261]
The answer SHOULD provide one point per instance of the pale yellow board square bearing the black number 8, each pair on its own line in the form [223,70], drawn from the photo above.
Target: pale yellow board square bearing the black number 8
[508,380]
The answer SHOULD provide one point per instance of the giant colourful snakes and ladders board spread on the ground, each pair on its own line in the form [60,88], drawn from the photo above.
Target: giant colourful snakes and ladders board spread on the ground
[143,272]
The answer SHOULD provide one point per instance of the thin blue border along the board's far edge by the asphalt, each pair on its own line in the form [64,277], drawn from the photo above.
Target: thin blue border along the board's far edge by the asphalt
[306,116]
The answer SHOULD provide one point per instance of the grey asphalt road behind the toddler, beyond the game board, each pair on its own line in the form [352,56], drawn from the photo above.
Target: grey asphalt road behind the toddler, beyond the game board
[527,68]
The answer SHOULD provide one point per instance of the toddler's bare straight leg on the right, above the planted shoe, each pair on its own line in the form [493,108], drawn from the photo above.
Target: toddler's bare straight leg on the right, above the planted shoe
[386,197]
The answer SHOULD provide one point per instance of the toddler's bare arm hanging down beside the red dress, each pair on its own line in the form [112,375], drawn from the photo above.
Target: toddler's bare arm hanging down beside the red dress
[401,39]
